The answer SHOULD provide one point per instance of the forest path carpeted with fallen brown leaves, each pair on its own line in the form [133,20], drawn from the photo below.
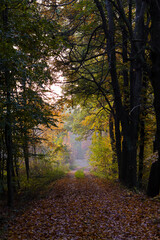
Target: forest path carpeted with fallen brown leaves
[87,208]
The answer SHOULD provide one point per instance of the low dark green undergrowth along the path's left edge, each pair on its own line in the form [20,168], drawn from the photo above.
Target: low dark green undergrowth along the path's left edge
[38,186]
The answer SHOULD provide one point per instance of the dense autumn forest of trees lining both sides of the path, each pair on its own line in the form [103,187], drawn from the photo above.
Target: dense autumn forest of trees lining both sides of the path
[108,53]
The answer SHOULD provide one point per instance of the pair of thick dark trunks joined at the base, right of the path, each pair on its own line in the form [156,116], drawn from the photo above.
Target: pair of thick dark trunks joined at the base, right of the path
[129,122]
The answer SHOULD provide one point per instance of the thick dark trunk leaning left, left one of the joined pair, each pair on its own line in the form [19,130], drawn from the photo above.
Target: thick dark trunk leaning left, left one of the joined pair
[128,169]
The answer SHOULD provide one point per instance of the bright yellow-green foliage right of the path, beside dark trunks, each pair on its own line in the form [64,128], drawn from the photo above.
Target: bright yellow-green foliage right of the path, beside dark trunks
[92,120]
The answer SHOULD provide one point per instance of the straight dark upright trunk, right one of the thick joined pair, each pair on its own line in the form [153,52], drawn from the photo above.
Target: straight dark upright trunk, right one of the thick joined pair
[136,76]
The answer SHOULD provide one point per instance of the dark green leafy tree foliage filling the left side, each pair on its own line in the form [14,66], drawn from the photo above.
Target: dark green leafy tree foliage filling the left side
[28,40]
